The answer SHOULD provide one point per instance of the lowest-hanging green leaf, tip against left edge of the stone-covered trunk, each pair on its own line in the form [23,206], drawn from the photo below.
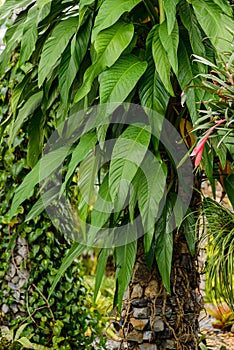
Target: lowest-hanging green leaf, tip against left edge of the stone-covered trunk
[125,259]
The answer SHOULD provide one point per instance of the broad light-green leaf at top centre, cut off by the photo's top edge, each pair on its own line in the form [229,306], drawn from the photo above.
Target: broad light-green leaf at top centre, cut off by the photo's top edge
[110,12]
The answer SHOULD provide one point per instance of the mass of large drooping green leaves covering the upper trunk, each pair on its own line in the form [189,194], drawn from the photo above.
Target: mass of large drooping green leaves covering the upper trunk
[75,54]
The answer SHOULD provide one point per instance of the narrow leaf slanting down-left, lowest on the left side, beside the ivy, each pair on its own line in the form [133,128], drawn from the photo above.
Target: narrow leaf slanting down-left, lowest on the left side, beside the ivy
[73,253]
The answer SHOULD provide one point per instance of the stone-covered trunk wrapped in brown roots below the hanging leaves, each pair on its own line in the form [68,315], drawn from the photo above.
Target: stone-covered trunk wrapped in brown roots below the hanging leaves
[151,318]
